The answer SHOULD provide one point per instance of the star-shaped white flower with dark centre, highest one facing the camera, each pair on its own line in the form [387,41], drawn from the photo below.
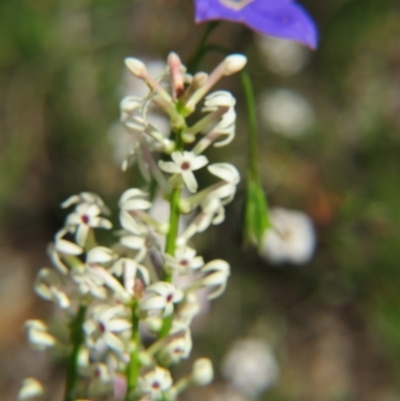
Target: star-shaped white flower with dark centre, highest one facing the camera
[184,164]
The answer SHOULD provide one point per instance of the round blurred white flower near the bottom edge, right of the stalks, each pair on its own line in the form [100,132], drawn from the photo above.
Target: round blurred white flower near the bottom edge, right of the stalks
[250,366]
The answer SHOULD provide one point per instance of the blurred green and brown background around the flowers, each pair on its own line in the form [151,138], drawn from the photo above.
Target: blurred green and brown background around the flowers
[334,323]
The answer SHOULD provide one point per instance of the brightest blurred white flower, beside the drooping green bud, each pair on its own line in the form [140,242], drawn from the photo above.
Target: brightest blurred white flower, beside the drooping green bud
[291,238]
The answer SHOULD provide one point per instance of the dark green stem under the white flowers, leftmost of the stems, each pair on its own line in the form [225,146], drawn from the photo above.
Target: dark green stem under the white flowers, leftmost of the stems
[77,338]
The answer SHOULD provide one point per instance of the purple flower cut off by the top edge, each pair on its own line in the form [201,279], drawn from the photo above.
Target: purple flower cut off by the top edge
[279,18]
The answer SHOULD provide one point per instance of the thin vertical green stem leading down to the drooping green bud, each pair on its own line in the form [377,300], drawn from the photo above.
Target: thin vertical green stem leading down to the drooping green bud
[253,169]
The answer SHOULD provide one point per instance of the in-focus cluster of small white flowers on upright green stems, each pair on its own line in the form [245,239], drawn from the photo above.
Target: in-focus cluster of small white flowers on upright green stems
[127,308]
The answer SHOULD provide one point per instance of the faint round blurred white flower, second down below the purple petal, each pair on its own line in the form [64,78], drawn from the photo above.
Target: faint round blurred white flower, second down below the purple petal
[286,112]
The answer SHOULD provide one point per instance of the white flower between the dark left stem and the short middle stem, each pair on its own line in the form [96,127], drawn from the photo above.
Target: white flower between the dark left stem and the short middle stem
[104,327]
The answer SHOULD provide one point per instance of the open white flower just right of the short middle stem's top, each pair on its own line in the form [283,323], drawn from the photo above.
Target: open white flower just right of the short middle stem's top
[160,296]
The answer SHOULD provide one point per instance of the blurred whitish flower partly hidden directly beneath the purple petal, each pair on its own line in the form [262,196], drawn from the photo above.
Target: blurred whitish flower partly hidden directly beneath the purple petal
[282,57]
